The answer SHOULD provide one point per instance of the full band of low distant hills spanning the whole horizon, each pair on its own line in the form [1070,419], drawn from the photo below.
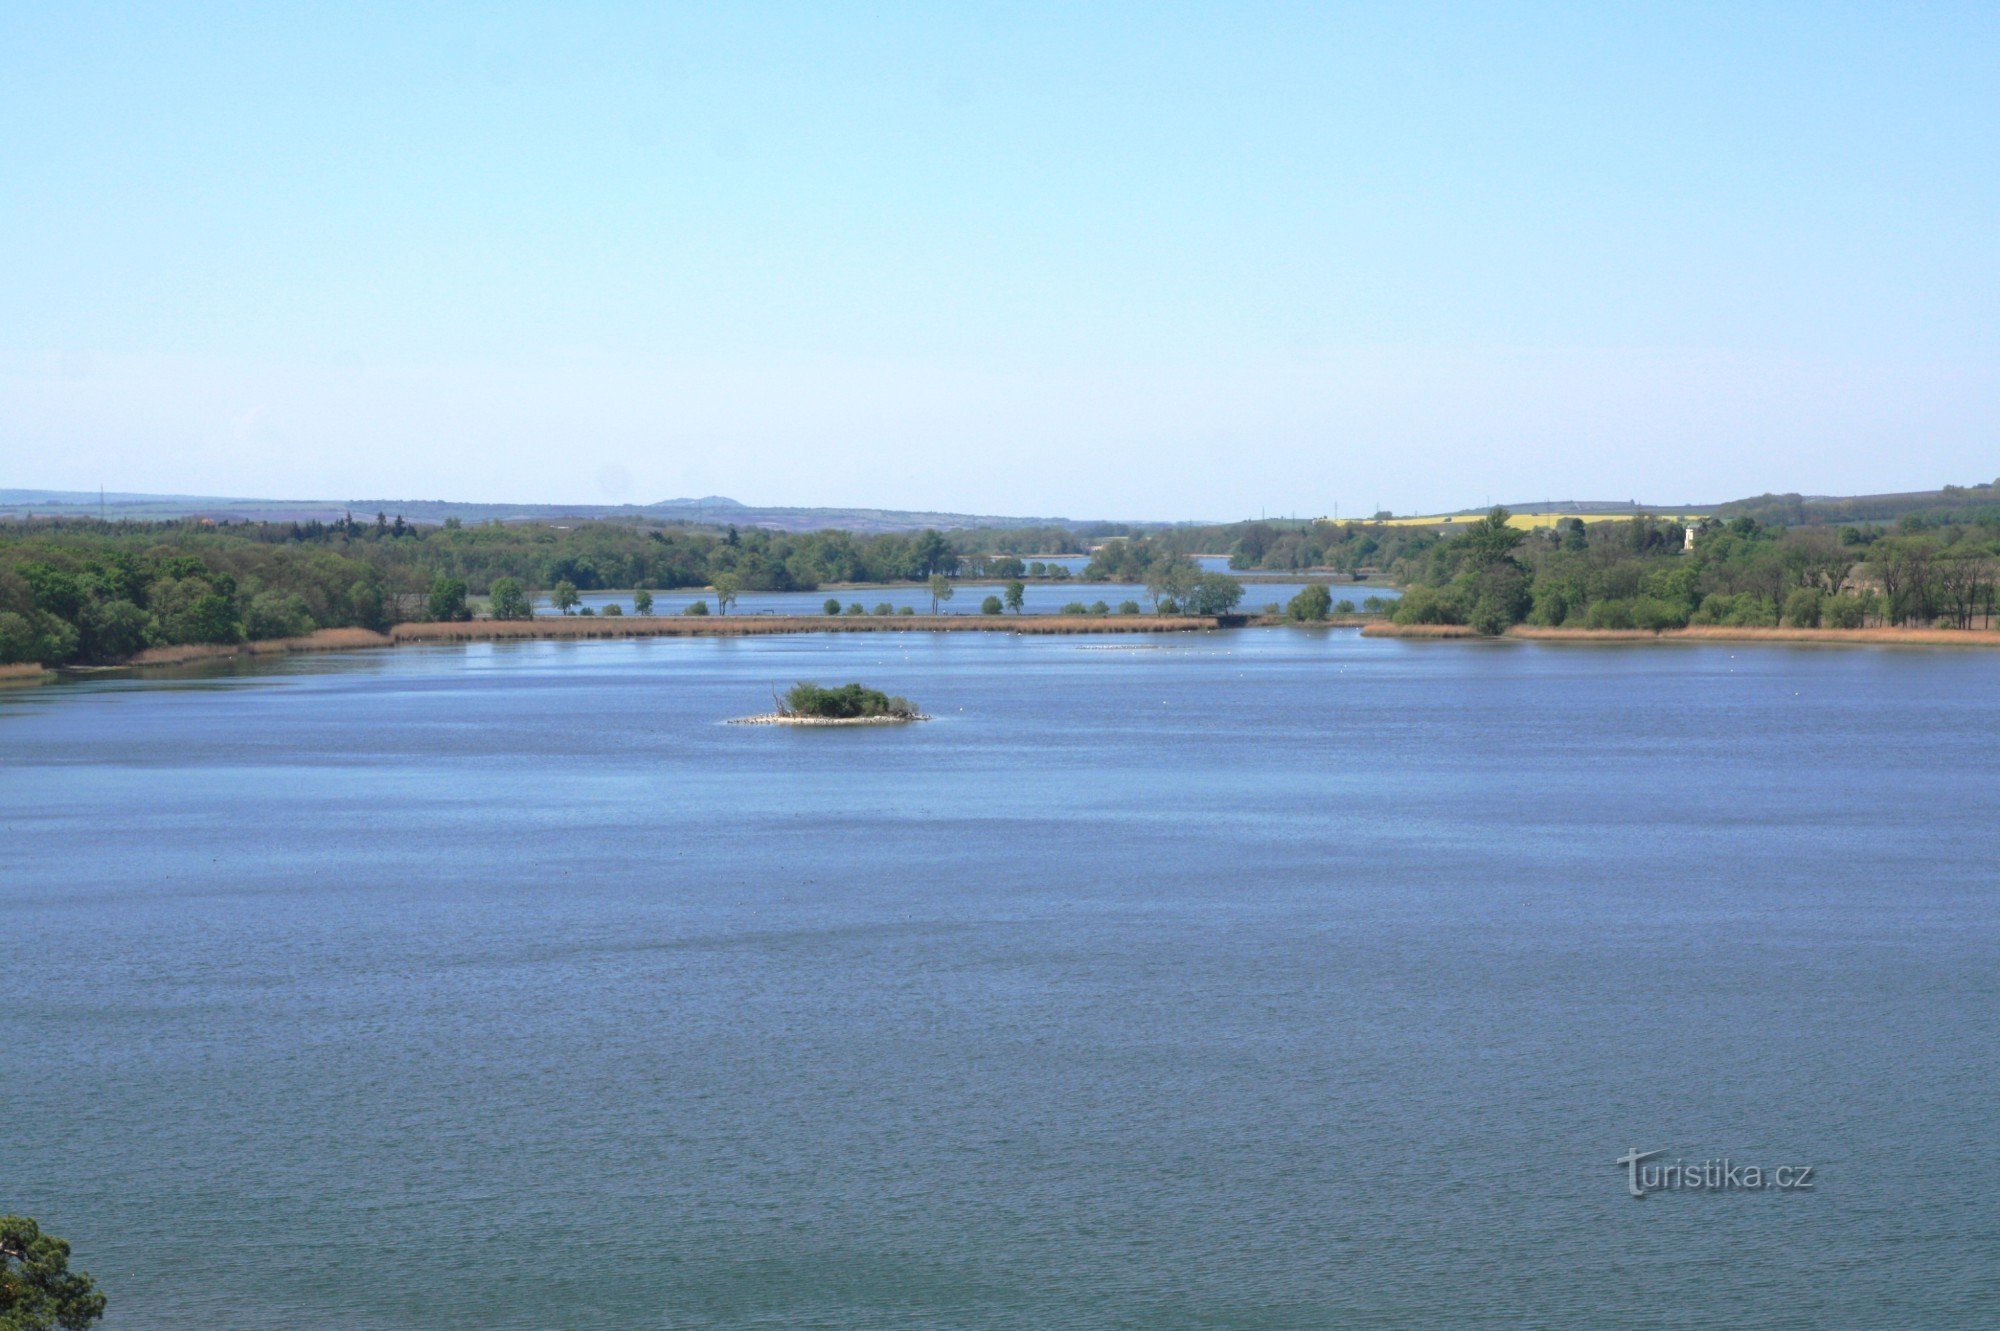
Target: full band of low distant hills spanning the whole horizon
[721,511]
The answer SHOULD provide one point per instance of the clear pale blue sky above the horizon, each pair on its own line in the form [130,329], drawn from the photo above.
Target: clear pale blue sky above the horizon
[1093,261]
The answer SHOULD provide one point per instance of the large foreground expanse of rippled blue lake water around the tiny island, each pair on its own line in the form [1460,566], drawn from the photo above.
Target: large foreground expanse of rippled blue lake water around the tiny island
[1235,980]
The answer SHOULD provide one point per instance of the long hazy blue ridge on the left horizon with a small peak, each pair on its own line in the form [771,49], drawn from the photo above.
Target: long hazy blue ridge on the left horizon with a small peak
[711,511]
